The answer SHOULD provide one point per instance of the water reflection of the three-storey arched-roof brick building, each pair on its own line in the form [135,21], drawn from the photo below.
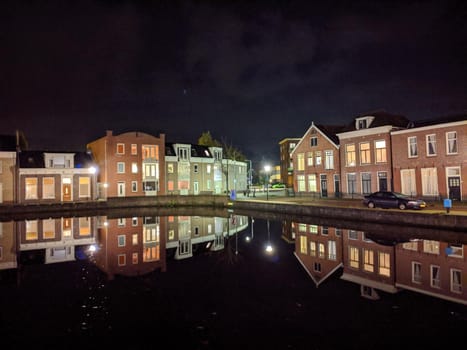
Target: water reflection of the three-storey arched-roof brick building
[130,246]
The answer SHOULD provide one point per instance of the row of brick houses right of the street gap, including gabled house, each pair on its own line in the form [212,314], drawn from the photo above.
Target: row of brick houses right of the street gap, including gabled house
[379,151]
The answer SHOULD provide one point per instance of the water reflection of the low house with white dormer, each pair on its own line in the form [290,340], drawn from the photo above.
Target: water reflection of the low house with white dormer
[54,240]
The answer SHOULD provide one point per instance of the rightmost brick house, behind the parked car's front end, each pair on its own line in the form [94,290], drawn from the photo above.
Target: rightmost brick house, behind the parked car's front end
[431,160]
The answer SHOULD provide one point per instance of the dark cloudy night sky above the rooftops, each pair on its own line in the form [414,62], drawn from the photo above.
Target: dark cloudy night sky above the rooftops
[250,72]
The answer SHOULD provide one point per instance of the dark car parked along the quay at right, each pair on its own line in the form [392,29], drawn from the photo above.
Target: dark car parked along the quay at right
[389,199]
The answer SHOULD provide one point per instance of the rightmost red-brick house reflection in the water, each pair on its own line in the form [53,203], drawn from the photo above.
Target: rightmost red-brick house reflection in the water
[434,268]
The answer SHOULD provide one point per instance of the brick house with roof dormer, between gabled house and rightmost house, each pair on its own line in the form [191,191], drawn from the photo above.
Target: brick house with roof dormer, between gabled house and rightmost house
[366,154]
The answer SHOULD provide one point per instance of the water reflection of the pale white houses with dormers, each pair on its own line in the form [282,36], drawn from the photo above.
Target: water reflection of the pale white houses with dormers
[187,234]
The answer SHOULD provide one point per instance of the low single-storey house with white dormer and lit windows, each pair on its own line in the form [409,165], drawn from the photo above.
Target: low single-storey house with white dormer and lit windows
[50,177]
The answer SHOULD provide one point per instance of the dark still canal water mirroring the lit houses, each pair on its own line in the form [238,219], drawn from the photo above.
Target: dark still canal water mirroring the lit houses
[233,281]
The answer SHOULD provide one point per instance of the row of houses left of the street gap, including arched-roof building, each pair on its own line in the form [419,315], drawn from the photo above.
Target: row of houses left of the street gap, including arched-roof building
[123,165]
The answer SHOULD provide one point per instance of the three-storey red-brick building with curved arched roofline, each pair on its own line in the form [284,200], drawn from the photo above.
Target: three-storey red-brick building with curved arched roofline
[129,164]
